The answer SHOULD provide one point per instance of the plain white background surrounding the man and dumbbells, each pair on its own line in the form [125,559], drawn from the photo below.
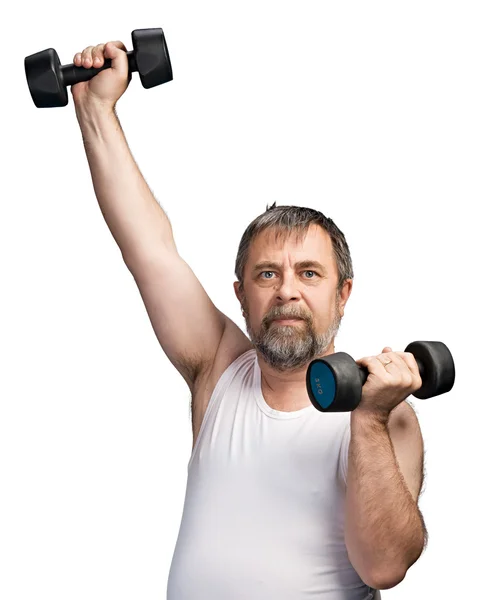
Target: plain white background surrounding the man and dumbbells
[379,114]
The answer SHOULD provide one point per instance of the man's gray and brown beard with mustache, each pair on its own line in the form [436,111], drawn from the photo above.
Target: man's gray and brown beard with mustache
[288,347]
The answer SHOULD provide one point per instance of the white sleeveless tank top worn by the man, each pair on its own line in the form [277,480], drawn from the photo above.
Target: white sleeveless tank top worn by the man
[263,515]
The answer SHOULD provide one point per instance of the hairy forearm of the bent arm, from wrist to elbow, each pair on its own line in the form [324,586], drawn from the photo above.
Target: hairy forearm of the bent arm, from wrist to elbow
[382,519]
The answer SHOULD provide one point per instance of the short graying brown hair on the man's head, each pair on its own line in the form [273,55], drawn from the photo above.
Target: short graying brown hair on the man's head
[287,220]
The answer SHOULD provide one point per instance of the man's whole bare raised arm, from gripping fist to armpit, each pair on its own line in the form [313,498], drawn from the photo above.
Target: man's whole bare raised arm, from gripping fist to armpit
[188,325]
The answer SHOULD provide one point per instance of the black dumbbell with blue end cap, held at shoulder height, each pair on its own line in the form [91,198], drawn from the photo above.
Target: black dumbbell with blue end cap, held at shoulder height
[334,382]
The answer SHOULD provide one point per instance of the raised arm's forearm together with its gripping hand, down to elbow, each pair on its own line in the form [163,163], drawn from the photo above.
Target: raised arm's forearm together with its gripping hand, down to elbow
[136,220]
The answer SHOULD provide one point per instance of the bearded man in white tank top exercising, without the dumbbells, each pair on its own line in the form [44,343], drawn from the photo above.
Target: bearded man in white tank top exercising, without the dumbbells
[282,501]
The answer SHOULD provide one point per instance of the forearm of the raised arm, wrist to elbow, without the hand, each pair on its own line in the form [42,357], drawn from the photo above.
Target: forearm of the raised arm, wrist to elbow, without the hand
[136,220]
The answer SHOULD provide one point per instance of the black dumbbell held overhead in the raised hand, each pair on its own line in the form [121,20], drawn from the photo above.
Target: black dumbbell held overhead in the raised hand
[48,79]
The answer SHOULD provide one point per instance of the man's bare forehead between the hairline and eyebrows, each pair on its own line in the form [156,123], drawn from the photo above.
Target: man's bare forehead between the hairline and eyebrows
[274,244]
